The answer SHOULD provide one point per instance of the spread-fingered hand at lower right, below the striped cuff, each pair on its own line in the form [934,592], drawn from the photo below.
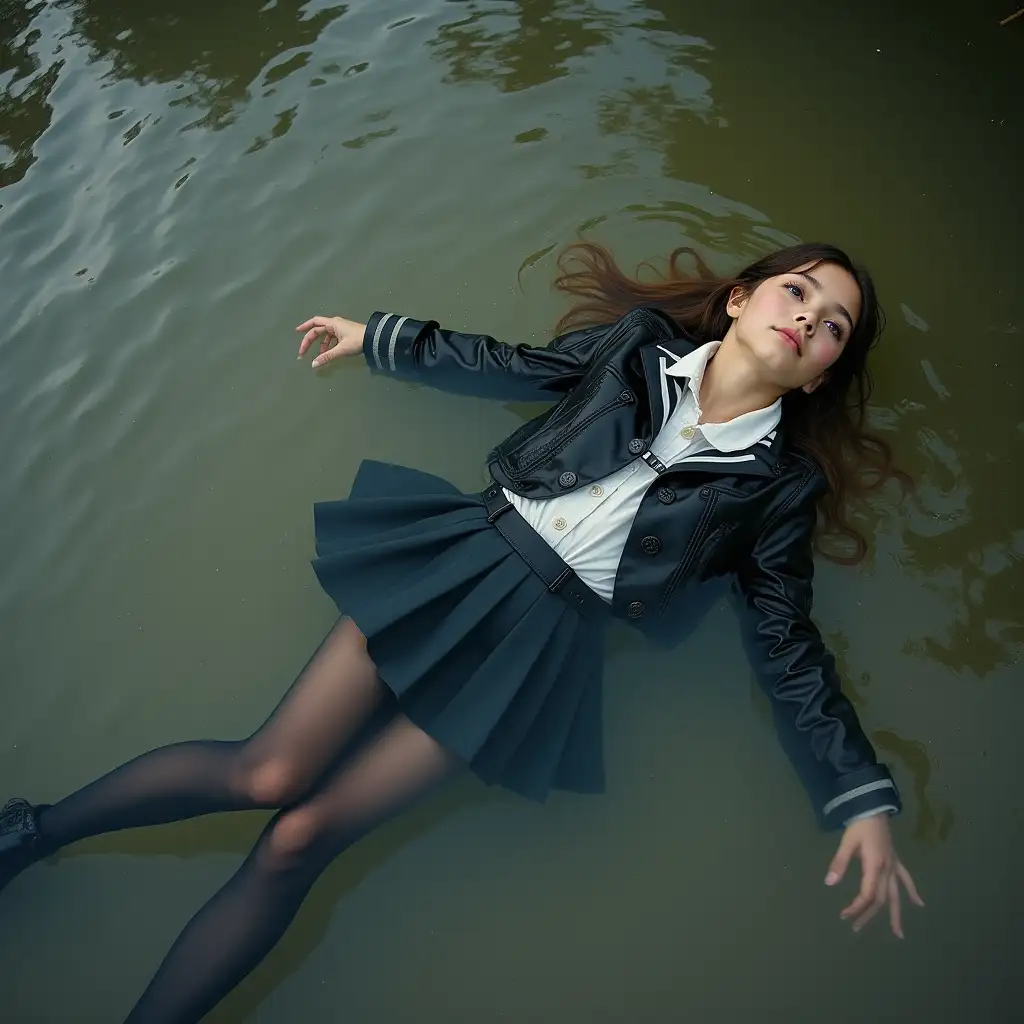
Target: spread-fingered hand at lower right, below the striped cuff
[882,873]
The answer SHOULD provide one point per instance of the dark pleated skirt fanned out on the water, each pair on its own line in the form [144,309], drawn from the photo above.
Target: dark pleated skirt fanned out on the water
[480,651]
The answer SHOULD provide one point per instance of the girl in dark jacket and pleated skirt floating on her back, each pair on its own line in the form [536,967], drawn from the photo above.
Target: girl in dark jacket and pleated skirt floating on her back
[701,428]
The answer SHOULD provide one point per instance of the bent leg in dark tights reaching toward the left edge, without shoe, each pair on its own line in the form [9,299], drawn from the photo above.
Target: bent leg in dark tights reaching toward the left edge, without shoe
[332,698]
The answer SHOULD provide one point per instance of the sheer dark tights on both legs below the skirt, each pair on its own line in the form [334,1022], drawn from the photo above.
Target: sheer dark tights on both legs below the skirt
[286,764]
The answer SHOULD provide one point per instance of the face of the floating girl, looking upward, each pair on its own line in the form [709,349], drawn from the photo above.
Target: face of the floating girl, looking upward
[796,325]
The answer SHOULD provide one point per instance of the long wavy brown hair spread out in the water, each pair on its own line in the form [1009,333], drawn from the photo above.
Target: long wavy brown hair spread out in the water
[829,424]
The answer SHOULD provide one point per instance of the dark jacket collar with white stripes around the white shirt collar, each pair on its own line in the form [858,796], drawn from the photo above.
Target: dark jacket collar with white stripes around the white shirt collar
[668,367]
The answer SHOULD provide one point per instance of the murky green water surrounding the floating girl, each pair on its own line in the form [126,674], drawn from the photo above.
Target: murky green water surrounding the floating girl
[184,182]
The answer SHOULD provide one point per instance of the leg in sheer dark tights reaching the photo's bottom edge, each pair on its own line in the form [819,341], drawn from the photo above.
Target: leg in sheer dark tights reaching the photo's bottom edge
[242,923]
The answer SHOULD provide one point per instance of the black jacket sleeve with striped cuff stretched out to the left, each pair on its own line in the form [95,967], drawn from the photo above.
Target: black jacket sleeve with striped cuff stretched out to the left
[477,364]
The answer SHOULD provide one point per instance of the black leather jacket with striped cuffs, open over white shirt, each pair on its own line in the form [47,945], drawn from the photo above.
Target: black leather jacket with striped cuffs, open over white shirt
[748,515]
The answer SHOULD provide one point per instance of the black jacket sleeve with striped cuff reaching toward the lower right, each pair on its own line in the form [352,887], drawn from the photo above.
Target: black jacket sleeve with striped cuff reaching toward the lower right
[818,726]
